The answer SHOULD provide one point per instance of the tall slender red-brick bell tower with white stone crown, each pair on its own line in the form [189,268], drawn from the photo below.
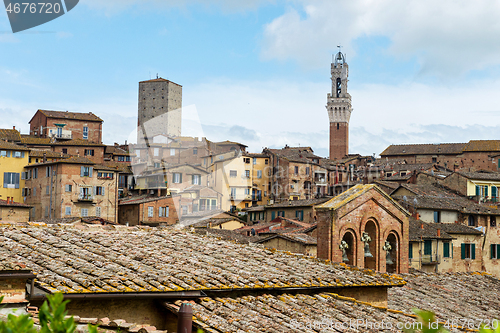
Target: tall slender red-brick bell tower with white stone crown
[339,109]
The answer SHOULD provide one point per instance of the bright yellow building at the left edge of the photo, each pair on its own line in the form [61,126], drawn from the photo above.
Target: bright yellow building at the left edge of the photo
[13,158]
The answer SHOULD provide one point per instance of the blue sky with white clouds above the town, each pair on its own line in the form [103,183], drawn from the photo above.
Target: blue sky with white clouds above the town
[258,71]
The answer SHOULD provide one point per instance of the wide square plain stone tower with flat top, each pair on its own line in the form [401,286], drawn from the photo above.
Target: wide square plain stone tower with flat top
[161,100]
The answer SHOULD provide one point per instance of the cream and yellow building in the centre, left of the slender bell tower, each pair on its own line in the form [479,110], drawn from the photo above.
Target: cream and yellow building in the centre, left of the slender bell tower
[241,178]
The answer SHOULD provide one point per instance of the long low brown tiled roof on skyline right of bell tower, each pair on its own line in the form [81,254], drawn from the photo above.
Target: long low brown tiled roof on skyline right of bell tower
[424,149]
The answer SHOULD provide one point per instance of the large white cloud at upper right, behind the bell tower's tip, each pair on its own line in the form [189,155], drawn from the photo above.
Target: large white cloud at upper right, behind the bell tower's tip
[448,37]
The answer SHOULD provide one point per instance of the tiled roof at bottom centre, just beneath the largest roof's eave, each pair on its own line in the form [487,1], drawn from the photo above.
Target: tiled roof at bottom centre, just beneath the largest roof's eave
[318,312]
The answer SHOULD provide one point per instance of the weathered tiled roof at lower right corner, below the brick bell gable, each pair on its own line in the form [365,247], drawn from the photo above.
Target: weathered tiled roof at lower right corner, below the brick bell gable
[462,296]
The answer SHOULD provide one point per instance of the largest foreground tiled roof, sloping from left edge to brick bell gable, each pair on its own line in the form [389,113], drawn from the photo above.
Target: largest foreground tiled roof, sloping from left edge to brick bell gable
[94,259]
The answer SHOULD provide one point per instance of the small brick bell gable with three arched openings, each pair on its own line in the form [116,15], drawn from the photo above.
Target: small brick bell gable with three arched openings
[364,208]
